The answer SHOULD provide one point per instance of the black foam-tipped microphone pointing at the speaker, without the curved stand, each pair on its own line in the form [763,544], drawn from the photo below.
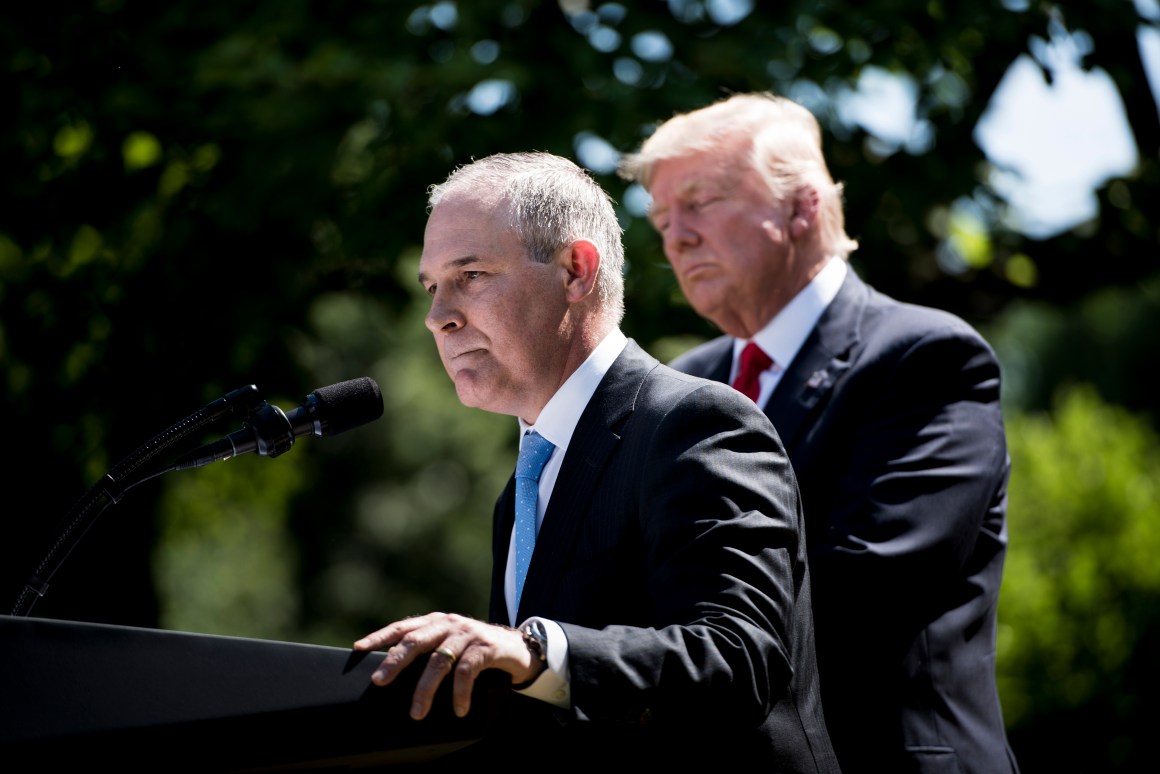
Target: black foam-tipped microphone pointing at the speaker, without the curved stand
[271,432]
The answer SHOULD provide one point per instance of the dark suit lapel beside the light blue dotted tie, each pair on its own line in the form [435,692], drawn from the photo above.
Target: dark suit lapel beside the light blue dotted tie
[590,452]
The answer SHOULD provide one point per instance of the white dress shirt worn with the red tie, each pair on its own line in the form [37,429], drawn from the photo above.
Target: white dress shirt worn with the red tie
[786,334]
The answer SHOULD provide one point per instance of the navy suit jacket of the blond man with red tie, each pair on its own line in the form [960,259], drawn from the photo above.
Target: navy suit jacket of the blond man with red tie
[891,417]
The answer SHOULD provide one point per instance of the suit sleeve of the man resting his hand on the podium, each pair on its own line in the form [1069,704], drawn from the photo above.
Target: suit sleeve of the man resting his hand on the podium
[713,498]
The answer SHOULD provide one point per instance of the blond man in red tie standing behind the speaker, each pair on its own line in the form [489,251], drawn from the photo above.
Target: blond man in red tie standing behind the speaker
[890,414]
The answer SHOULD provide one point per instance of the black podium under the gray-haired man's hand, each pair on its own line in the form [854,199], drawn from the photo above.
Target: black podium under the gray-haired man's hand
[76,695]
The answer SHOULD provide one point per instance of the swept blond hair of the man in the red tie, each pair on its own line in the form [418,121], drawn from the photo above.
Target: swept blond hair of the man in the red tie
[785,144]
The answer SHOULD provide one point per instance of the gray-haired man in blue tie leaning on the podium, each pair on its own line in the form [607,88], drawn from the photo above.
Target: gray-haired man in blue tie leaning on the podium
[649,551]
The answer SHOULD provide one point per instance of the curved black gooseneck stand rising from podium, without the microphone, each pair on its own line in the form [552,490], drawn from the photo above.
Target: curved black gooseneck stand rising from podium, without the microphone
[119,481]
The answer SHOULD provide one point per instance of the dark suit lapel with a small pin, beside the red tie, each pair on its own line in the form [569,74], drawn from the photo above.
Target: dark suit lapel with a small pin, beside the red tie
[825,357]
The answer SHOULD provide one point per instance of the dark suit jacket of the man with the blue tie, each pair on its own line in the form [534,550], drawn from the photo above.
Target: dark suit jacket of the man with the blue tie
[672,554]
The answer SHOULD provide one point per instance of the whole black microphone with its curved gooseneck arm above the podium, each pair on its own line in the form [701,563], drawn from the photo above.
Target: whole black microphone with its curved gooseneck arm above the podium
[269,431]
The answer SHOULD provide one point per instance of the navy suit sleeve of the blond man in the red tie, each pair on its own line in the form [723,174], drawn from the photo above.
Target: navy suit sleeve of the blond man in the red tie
[915,487]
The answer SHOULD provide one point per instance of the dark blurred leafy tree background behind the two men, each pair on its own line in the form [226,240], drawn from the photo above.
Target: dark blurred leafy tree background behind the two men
[202,197]
